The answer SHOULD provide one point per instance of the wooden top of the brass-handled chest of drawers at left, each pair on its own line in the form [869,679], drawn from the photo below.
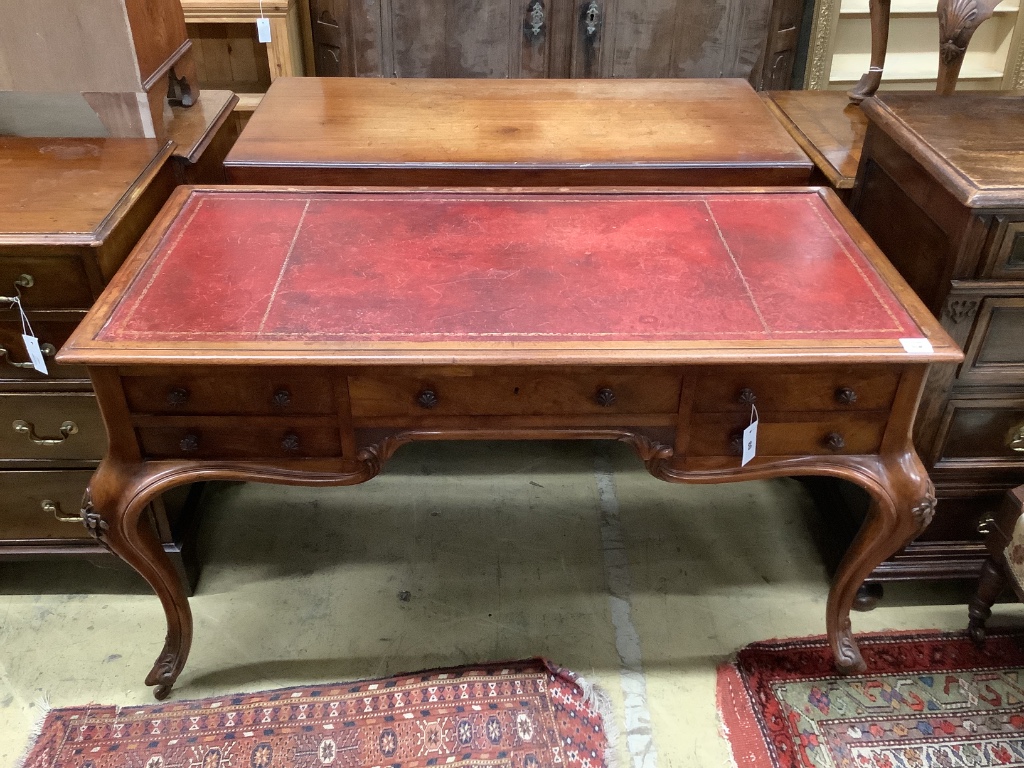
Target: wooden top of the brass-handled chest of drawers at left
[72,191]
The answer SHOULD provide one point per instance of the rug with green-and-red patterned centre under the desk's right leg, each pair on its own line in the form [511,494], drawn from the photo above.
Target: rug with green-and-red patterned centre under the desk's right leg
[930,701]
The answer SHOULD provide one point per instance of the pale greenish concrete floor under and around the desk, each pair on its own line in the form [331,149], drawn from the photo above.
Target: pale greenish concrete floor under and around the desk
[506,551]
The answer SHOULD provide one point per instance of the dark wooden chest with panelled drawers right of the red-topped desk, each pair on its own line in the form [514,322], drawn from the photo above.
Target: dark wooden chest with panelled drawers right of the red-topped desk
[942,191]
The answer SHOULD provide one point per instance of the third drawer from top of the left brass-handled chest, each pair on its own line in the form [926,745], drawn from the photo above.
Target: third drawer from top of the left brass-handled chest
[52,426]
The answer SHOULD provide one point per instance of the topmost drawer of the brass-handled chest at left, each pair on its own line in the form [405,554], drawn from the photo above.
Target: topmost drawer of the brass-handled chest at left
[47,282]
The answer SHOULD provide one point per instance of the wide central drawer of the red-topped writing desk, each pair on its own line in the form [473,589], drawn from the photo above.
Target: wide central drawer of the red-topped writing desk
[515,393]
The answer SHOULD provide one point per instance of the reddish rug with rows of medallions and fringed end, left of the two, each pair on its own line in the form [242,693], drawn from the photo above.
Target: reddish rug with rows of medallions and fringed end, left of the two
[520,715]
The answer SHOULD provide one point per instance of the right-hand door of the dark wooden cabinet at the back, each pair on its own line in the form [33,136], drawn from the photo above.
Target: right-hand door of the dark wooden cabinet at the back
[669,38]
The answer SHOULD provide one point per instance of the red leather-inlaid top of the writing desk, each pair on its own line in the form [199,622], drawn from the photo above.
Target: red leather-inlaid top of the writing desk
[515,278]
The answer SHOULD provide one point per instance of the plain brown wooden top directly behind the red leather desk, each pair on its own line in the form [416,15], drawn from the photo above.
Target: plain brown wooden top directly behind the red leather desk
[519,123]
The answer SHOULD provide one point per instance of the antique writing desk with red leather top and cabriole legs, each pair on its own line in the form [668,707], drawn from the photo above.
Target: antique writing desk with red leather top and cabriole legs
[303,337]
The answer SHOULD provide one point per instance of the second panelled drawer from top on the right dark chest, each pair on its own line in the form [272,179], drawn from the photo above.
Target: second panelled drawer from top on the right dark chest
[994,354]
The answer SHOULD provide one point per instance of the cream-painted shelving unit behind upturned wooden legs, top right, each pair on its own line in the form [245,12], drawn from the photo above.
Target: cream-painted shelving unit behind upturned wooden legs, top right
[841,41]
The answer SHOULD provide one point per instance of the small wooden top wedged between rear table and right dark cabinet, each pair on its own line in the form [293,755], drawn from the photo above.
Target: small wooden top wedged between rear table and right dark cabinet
[828,127]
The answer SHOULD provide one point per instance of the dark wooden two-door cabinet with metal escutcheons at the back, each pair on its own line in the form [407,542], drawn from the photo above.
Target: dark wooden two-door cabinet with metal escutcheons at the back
[558,38]
